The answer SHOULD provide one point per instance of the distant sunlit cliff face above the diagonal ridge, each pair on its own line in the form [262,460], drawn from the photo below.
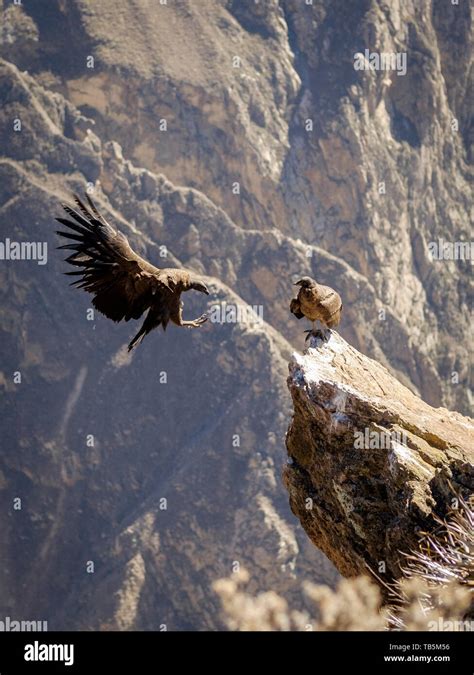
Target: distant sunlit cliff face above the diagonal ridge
[366,166]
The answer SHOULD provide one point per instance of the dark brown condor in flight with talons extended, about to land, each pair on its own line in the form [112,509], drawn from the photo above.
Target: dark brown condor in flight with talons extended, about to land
[124,285]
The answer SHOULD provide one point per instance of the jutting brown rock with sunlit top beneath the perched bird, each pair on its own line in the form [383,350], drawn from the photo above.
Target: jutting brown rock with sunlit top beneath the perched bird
[370,464]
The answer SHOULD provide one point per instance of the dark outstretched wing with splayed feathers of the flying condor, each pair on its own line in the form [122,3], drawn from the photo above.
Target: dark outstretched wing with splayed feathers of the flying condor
[123,284]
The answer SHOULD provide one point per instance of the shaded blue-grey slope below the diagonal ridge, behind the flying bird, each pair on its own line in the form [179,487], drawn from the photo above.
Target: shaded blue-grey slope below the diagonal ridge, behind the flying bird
[141,479]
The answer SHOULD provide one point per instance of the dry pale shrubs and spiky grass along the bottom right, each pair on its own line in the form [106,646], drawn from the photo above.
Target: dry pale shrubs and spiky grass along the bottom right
[434,594]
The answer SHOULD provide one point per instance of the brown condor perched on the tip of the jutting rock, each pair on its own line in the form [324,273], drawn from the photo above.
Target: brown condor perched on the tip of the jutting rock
[317,303]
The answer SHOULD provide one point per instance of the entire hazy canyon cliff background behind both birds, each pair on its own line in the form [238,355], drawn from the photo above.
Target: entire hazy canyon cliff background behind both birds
[190,122]
